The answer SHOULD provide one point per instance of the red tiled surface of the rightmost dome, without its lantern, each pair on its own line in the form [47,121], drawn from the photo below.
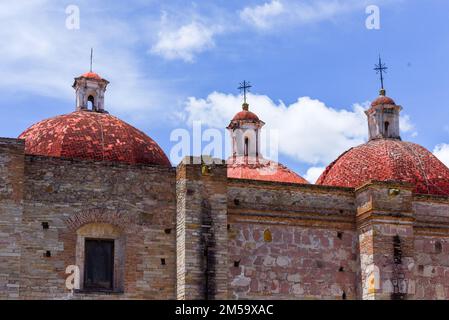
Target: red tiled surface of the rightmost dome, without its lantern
[388,159]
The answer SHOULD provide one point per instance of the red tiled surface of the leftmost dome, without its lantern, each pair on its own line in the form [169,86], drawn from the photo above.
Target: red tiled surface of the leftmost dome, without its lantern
[92,135]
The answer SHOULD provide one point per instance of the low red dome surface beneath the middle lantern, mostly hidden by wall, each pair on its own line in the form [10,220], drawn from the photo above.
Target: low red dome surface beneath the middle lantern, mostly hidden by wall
[263,169]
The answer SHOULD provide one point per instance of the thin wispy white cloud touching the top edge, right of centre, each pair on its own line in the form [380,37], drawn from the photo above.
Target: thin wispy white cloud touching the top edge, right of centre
[281,12]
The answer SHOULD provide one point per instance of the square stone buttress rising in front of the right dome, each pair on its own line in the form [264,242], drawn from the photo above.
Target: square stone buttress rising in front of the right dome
[384,222]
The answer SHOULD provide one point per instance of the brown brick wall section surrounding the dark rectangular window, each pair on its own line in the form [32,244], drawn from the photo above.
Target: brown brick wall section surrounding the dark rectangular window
[139,201]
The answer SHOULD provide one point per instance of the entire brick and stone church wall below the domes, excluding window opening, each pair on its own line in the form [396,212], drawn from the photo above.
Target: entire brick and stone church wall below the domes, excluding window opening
[192,233]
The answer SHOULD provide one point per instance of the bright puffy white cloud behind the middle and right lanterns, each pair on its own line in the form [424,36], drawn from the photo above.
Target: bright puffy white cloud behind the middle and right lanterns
[308,130]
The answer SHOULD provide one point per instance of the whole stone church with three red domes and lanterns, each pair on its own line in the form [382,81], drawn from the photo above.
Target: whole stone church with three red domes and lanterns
[92,208]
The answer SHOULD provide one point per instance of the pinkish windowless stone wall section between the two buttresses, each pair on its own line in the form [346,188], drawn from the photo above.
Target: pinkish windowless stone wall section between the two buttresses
[290,241]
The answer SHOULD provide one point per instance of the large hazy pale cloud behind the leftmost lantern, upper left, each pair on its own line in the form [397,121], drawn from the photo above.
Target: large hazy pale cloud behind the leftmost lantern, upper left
[42,56]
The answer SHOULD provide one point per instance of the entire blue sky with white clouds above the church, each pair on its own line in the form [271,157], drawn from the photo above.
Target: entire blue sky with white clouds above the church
[174,62]
